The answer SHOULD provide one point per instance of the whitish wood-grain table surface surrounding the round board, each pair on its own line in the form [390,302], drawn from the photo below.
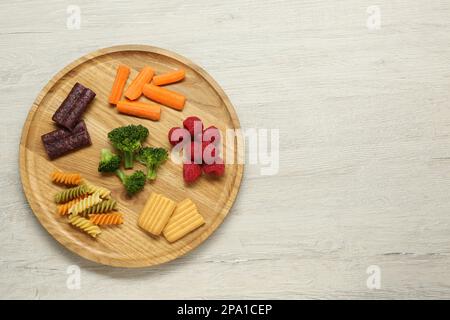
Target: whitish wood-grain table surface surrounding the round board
[364,120]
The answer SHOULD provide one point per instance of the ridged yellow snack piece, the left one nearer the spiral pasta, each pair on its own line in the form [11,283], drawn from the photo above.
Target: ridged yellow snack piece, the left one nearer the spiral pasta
[156,213]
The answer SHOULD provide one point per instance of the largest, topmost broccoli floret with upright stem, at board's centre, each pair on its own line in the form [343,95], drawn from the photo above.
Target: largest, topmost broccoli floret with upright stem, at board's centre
[128,140]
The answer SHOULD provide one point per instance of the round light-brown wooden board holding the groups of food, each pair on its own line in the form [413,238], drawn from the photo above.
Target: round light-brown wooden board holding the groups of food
[127,245]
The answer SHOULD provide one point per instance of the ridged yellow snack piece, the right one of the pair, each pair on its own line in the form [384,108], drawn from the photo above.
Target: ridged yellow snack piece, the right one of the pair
[184,219]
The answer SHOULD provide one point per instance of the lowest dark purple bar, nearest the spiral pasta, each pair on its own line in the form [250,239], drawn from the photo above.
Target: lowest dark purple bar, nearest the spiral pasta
[67,144]
